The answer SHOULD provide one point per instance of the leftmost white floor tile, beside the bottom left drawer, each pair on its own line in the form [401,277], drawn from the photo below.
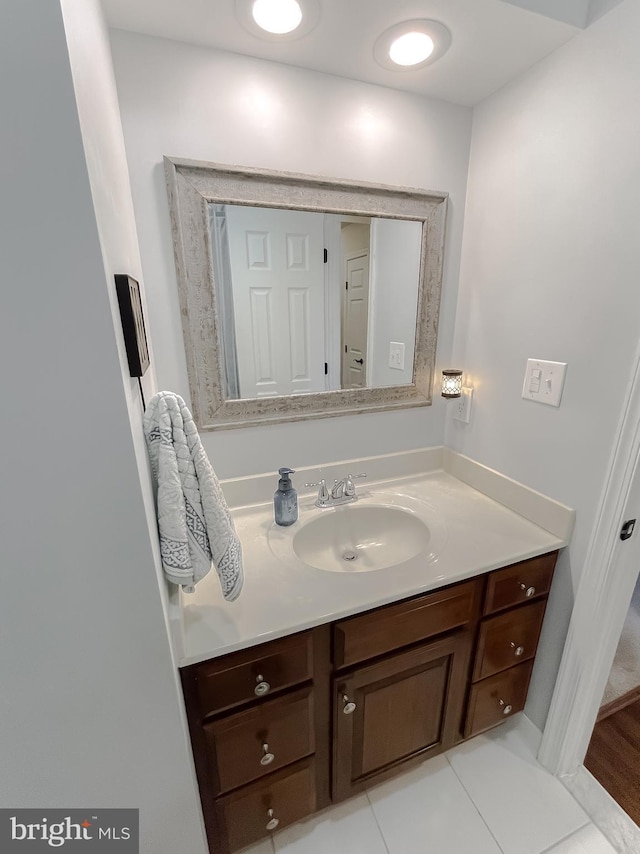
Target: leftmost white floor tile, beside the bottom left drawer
[349,827]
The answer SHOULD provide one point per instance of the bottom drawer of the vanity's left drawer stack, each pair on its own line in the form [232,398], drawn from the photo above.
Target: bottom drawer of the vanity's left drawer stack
[290,794]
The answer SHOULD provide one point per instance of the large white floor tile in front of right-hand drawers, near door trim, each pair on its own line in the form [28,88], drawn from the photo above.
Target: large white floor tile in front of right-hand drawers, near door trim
[527,809]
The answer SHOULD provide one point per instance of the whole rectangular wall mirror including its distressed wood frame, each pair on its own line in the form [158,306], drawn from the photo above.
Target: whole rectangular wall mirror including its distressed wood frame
[303,297]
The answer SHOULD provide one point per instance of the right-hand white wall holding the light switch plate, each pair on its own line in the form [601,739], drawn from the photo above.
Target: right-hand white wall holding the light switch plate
[550,270]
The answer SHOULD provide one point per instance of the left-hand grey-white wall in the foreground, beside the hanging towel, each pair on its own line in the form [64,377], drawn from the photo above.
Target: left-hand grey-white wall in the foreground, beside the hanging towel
[91,710]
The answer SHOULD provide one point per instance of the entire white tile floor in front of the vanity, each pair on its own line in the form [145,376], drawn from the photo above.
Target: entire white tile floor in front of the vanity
[487,796]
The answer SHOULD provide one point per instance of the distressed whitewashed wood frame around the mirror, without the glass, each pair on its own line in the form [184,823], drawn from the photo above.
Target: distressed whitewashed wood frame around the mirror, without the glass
[192,185]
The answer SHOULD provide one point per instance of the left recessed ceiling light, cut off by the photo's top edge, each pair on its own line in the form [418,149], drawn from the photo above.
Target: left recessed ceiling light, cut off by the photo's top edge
[278,20]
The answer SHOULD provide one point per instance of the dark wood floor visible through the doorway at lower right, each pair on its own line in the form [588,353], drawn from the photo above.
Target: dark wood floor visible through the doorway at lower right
[614,757]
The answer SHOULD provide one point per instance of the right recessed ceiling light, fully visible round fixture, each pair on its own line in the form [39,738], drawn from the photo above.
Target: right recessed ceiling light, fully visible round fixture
[411,45]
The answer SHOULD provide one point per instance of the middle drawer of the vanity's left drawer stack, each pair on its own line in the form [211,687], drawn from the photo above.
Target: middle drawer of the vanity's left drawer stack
[241,745]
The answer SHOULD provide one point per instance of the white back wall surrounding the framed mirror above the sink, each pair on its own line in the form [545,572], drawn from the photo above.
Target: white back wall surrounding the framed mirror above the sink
[186,101]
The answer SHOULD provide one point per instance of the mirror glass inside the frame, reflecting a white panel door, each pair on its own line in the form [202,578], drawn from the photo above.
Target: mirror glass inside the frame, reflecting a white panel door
[312,301]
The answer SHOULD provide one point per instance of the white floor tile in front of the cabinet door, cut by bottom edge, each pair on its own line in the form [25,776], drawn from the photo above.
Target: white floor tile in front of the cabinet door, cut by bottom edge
[428,810]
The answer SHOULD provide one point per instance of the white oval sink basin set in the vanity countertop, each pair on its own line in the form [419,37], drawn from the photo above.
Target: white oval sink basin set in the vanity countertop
[376,533]
